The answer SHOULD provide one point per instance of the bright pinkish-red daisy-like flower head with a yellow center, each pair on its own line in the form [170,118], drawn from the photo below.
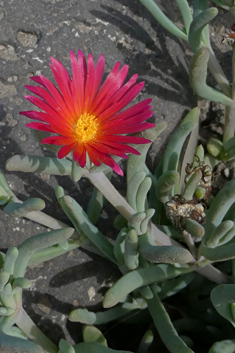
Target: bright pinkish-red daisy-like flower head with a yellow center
[87,116]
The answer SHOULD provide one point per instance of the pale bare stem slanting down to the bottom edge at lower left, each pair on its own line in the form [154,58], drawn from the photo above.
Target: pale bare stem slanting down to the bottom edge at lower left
[24,322]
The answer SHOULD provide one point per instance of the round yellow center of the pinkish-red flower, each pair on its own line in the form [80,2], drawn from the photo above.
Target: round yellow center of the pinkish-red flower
[86,127]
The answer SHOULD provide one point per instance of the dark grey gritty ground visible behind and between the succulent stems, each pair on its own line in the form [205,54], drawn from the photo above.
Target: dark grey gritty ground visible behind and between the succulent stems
[123,30]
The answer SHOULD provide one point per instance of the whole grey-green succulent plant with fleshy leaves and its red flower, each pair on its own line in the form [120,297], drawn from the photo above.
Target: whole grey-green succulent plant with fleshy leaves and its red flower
[174,238]
